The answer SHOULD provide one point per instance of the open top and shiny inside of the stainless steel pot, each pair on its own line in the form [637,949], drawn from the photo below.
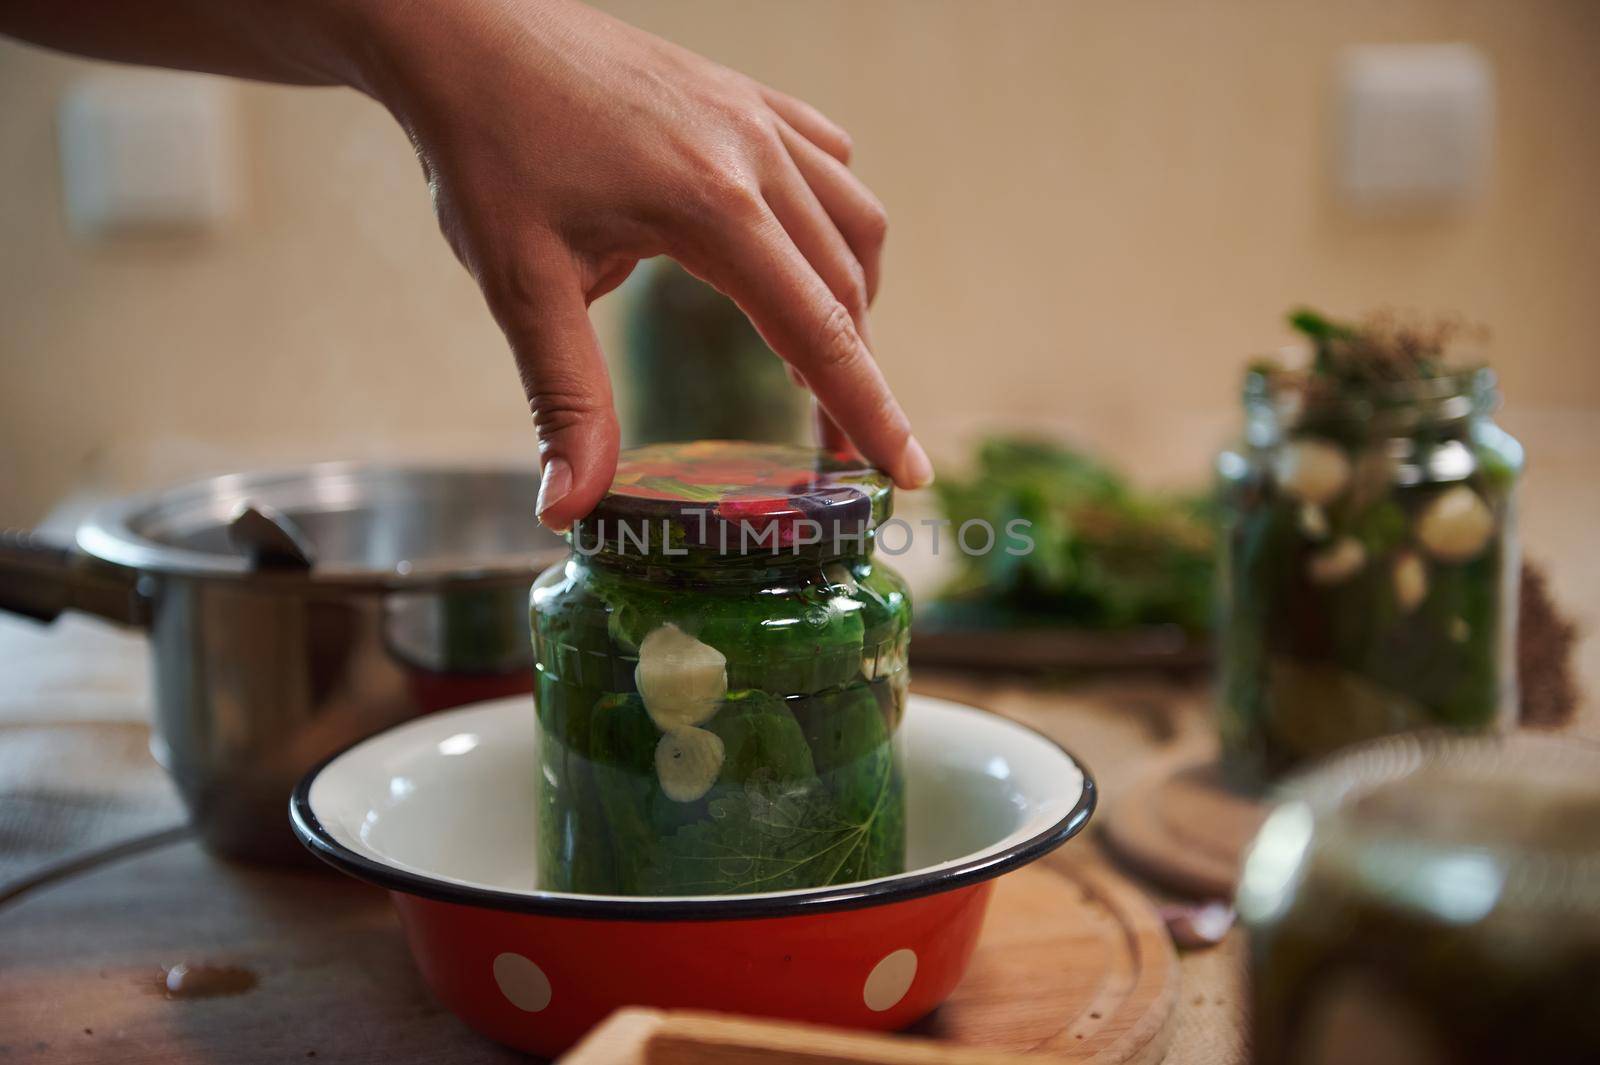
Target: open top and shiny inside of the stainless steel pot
[369,524]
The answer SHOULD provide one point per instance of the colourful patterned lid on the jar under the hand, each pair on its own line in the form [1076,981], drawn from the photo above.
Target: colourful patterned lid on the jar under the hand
[732,498]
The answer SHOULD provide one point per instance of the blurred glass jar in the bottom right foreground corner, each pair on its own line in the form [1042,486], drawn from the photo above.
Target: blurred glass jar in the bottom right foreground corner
[1430,899]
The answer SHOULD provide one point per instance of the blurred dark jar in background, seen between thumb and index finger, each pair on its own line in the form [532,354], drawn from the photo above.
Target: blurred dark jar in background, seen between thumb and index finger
[698,370]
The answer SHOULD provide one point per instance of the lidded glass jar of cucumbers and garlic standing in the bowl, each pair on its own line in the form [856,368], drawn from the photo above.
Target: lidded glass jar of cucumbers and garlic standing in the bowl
[721,677]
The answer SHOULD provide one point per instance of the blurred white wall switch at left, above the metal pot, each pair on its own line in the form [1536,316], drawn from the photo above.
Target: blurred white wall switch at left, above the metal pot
[148,153]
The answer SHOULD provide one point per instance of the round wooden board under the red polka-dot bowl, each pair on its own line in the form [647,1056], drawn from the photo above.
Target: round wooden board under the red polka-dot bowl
[1074,962]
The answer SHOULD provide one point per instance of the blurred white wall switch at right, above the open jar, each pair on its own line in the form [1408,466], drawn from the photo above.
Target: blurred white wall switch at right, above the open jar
[1415,126]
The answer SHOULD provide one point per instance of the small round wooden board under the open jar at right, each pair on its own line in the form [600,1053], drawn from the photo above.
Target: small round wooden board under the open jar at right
[1185,828]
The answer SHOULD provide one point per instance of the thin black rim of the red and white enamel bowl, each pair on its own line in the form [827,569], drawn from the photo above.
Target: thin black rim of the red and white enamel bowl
[902,888]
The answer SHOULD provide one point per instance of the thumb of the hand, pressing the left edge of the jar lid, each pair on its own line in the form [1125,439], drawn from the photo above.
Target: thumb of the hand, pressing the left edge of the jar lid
[546,319]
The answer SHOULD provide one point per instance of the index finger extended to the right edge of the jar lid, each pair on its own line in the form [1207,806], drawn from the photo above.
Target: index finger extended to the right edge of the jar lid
[801,319]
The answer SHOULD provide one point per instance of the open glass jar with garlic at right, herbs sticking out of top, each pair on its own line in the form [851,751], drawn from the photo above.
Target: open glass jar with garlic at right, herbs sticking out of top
[1369,572]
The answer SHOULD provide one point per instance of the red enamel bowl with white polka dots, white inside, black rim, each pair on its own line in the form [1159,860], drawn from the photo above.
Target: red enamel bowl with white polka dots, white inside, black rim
[441,812]
